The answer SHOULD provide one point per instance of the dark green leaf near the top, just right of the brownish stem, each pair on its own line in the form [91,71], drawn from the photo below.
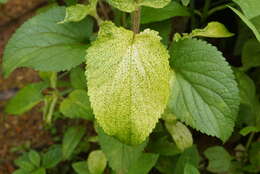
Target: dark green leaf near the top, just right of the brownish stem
[173,9]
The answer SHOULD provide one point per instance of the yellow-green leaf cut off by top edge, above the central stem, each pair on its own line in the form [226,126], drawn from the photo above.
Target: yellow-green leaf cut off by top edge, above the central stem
[132,5]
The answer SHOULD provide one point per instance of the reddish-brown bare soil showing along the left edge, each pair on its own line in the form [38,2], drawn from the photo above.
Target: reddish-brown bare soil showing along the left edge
[16,131]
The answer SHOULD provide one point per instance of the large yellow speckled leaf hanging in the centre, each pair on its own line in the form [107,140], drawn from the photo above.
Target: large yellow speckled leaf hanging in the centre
[128,81]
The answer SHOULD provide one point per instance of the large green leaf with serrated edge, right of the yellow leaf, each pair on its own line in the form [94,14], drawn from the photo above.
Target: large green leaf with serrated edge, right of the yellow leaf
[204,92]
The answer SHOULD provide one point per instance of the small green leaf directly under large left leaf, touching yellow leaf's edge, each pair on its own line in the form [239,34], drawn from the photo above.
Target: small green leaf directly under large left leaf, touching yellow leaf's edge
[78,78]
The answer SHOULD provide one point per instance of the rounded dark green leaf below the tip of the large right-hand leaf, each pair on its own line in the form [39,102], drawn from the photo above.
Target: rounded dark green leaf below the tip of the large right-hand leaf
[219,159]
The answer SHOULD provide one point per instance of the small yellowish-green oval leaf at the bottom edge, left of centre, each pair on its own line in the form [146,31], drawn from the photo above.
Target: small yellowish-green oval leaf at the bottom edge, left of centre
[96,162]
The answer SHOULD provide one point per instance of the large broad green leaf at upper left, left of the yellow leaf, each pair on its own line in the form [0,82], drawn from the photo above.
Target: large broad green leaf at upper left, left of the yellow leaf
[44,45]
